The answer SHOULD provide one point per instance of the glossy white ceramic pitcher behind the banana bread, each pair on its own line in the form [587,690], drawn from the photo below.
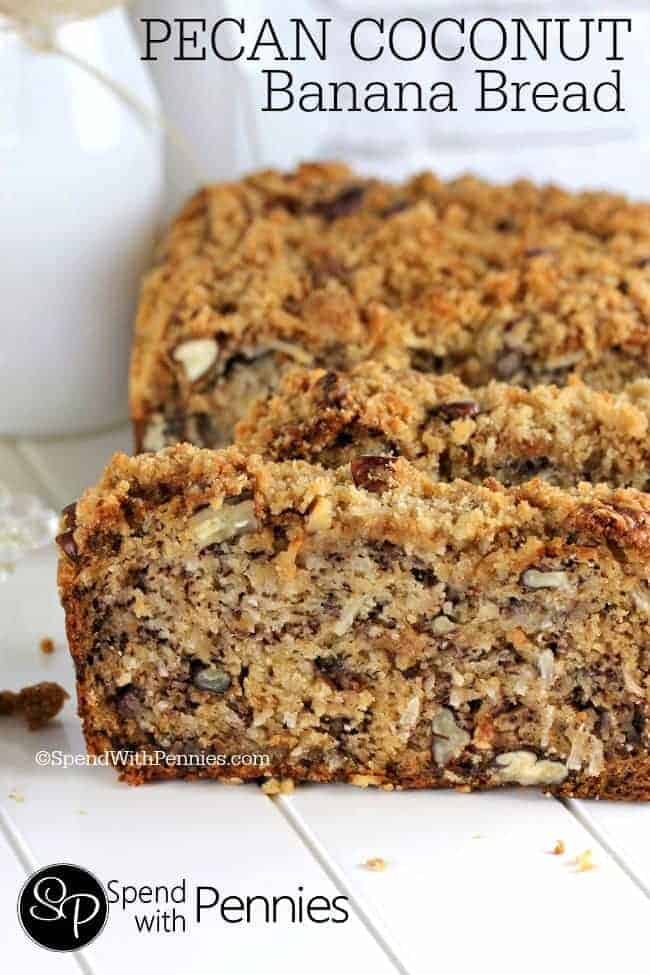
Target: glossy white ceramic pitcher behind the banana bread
[80,202]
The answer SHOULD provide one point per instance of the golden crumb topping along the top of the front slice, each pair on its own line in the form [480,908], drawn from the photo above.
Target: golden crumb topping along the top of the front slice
[429,515]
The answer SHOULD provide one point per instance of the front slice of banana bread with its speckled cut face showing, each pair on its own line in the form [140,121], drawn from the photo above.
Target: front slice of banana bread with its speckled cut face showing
[367,625]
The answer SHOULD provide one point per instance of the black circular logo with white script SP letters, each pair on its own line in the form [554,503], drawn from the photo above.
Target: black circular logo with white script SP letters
[62,907]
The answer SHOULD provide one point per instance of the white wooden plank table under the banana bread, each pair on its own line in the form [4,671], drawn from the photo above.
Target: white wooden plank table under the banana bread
[470,882]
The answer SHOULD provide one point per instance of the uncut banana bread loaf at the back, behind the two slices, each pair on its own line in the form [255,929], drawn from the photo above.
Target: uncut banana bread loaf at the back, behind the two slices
[322,268]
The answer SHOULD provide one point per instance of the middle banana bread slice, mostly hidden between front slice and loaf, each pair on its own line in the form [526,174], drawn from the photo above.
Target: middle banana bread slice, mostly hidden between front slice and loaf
[564,435]
